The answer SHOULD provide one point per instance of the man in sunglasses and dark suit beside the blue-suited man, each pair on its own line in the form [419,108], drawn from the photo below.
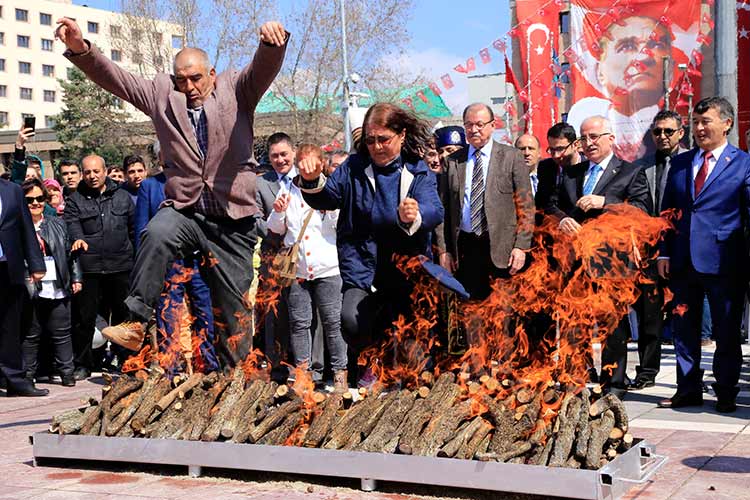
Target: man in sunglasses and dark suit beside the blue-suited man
[667,133]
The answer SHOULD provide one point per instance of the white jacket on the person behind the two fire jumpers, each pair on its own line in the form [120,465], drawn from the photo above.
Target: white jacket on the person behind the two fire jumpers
[318,256]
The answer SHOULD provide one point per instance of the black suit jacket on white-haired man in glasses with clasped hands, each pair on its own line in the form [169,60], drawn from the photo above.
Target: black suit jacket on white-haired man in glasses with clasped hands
[619,183]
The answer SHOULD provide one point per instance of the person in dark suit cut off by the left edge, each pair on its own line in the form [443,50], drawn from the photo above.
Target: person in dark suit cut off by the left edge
[19,253]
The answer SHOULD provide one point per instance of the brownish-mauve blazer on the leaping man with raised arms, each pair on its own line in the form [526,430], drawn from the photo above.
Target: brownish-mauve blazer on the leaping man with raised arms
[229,166]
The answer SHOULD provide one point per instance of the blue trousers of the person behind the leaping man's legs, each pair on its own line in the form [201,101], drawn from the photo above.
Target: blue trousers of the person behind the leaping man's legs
[169,308]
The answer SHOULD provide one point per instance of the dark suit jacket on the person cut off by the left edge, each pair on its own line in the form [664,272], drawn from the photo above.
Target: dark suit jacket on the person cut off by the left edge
[17,235]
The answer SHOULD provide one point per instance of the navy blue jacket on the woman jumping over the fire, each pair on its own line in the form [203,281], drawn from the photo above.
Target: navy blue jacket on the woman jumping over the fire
[350,190]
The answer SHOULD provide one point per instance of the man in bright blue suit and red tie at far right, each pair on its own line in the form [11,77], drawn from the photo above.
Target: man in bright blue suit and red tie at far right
[707,253]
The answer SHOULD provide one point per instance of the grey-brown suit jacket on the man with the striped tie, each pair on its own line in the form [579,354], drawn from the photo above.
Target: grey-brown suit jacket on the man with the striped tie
[508,203]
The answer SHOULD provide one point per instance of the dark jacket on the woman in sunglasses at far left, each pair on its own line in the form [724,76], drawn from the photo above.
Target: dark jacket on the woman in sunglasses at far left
[54,233]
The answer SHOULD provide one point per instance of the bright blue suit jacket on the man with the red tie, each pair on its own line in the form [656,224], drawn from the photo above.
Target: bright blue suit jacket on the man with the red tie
[710,230]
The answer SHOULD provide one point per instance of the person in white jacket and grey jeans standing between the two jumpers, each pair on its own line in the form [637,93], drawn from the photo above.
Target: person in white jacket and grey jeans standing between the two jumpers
[318,279]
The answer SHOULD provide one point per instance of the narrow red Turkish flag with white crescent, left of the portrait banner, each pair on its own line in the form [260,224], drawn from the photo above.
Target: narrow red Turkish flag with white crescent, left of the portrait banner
[538,36]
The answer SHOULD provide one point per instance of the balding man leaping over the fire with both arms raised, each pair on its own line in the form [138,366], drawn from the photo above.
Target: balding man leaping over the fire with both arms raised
[204,124]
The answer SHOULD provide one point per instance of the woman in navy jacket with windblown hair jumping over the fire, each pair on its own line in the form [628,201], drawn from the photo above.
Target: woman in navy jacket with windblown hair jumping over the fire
[389,206]
